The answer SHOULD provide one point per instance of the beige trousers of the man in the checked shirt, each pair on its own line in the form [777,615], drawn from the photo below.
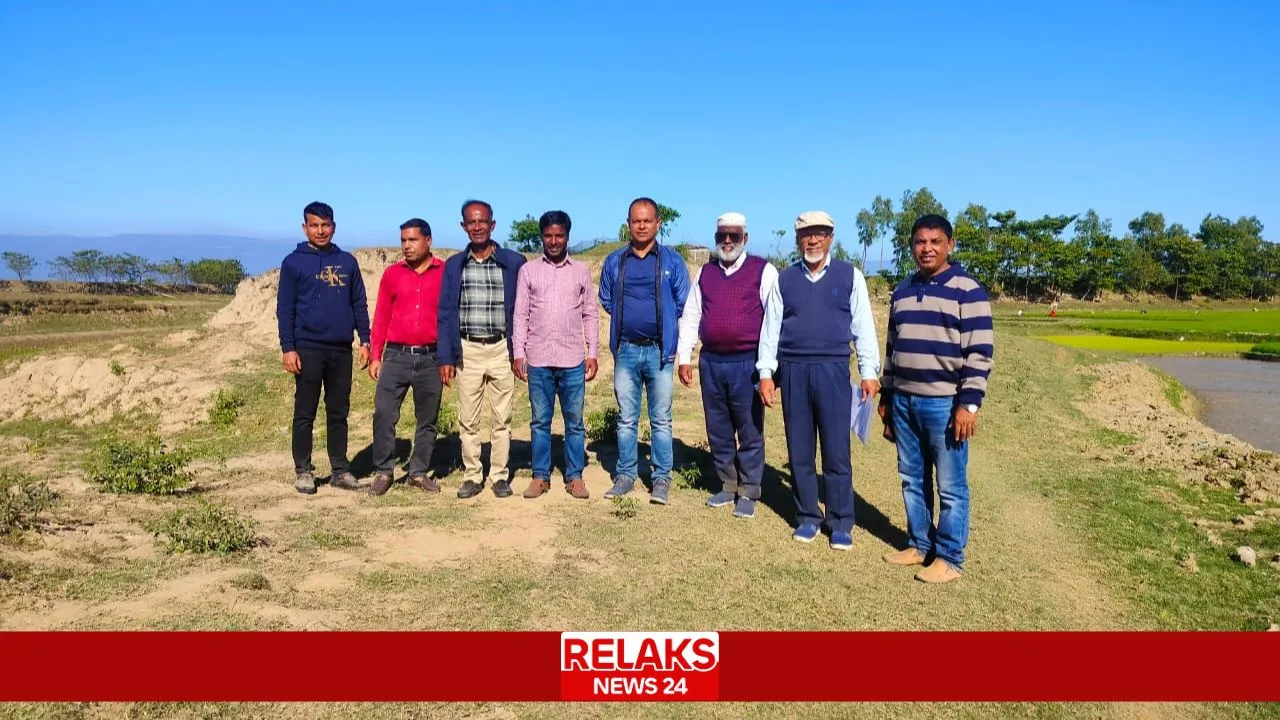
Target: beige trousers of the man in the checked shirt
[486,375]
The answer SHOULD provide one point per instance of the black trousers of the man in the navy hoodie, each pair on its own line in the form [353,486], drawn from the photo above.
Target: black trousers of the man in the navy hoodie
[330,372]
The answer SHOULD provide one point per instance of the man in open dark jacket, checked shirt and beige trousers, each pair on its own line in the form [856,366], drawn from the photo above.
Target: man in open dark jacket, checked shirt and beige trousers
[478,303]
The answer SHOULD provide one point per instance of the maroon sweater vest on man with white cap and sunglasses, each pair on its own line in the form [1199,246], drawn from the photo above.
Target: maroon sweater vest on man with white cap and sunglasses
[732,307]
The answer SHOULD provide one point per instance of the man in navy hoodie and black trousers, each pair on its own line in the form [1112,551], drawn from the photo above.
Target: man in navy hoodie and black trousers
[322,303]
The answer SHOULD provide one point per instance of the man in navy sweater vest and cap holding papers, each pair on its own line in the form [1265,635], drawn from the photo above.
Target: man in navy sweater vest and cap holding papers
[825,308]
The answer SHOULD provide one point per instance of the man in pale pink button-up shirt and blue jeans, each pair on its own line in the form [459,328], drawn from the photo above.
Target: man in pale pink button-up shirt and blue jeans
[555,345]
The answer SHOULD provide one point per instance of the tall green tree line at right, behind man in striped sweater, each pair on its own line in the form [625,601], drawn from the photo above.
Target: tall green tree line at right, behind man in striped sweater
[1040,259]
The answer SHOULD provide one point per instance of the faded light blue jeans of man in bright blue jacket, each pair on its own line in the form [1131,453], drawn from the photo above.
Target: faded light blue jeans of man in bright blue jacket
[639,368]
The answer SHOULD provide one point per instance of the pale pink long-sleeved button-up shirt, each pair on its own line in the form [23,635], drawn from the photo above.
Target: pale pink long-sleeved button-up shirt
[557,323]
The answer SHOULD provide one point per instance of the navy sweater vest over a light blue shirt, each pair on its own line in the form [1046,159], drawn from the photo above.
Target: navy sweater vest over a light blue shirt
[816,316]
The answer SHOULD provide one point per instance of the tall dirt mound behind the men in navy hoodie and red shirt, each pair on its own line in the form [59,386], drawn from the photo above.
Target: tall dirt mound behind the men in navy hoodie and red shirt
[253,313]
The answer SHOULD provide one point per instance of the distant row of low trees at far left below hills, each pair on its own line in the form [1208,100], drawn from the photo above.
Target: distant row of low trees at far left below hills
[95,266]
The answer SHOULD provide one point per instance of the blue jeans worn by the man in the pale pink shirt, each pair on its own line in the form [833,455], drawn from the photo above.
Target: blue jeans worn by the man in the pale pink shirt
[545,386]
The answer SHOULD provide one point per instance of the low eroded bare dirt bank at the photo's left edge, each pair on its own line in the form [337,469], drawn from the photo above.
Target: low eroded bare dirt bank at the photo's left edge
[93,390]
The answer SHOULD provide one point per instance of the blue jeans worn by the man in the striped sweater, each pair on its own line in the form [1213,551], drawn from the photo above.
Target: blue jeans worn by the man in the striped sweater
[929,452]
